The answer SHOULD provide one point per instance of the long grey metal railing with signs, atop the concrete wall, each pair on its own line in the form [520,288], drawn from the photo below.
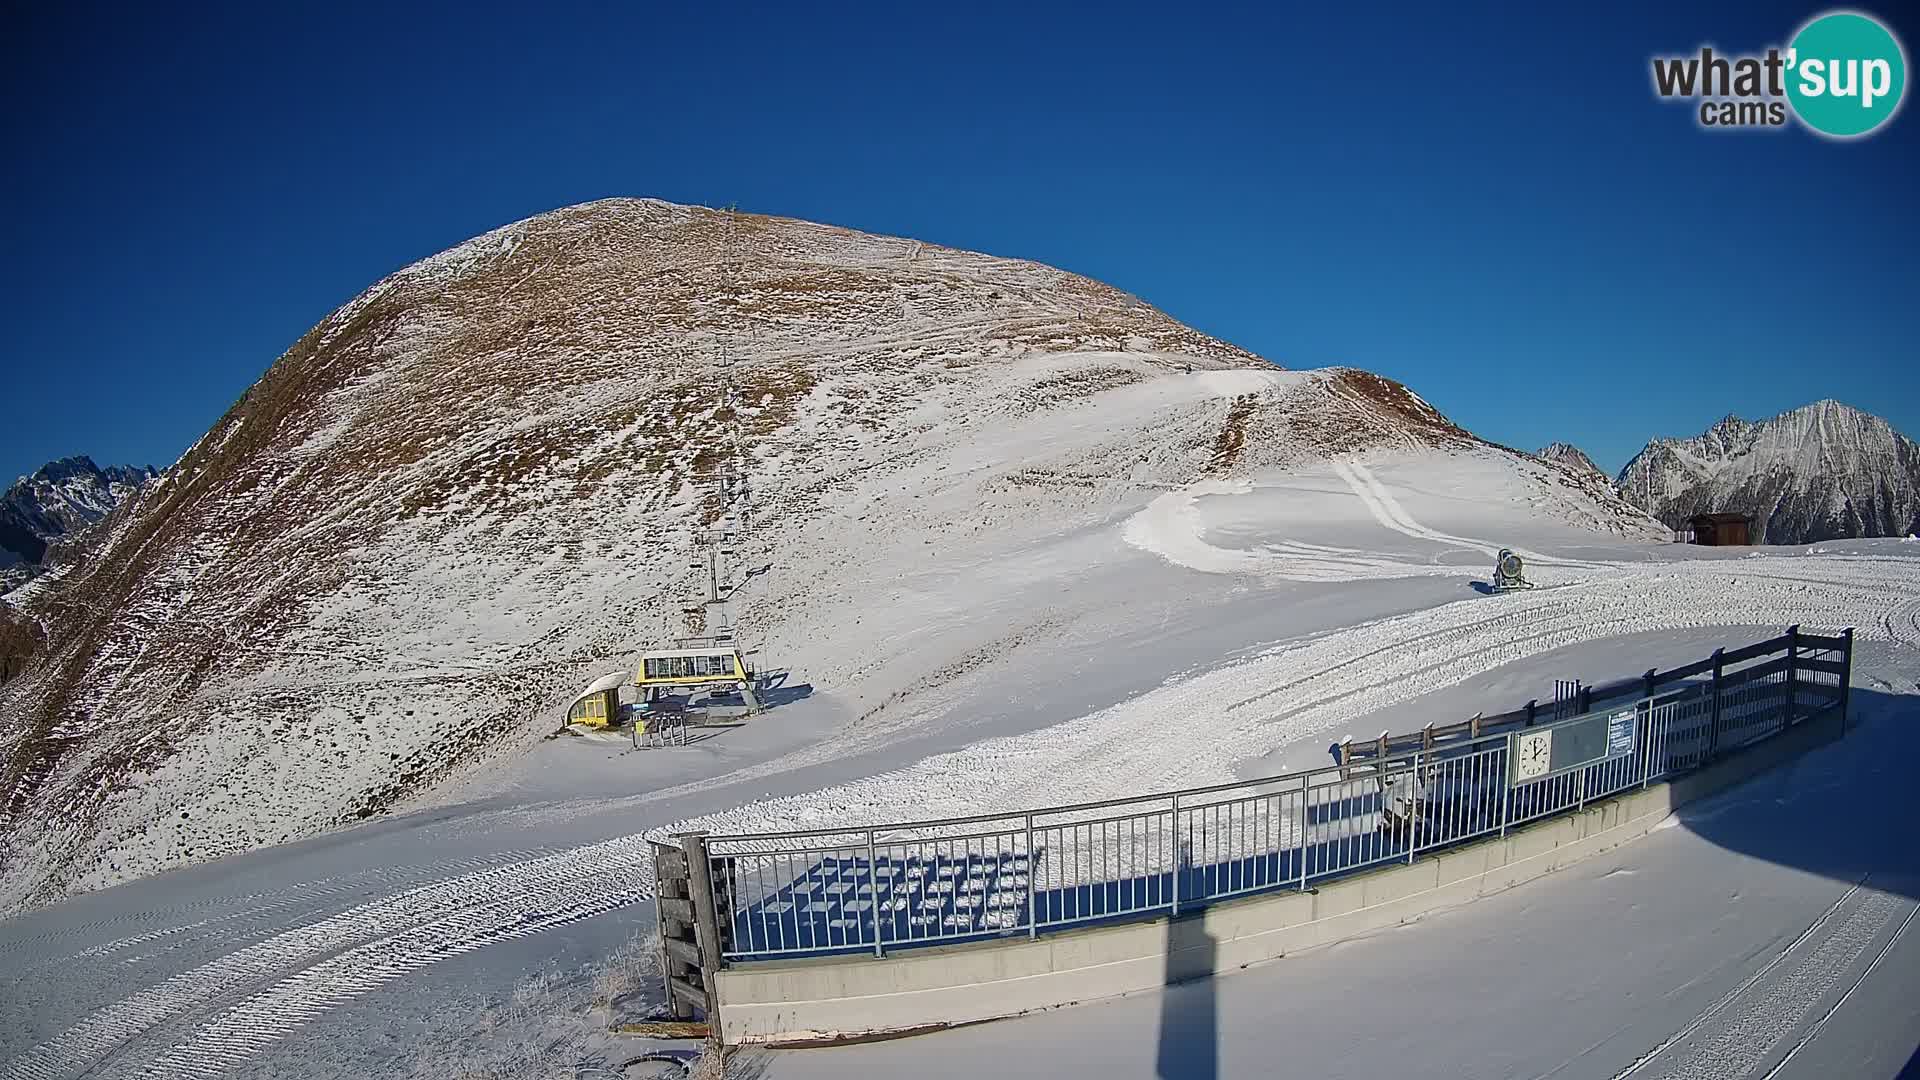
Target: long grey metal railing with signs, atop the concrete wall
[890,887]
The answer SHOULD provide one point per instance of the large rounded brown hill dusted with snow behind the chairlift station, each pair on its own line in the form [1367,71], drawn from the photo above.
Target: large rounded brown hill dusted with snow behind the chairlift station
[475,487]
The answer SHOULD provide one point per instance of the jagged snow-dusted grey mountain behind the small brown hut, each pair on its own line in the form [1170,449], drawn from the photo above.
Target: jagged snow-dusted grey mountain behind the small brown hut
[1821,472]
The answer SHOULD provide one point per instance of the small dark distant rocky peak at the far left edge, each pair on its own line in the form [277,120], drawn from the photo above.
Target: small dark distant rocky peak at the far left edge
[59,501]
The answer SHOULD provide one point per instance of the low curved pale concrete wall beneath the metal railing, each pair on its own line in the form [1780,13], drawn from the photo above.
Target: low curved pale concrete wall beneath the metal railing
[846,998]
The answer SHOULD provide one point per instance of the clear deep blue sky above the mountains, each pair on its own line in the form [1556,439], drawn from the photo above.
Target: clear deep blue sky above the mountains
[1485,205]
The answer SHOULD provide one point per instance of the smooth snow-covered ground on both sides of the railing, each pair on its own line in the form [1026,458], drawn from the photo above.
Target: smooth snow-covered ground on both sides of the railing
[1207,633]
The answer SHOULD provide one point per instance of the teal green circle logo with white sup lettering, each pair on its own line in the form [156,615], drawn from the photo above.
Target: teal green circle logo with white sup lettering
[1846,74]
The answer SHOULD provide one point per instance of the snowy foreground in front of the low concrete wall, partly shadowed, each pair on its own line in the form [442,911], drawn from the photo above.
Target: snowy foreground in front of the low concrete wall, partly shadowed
[1764,933]
